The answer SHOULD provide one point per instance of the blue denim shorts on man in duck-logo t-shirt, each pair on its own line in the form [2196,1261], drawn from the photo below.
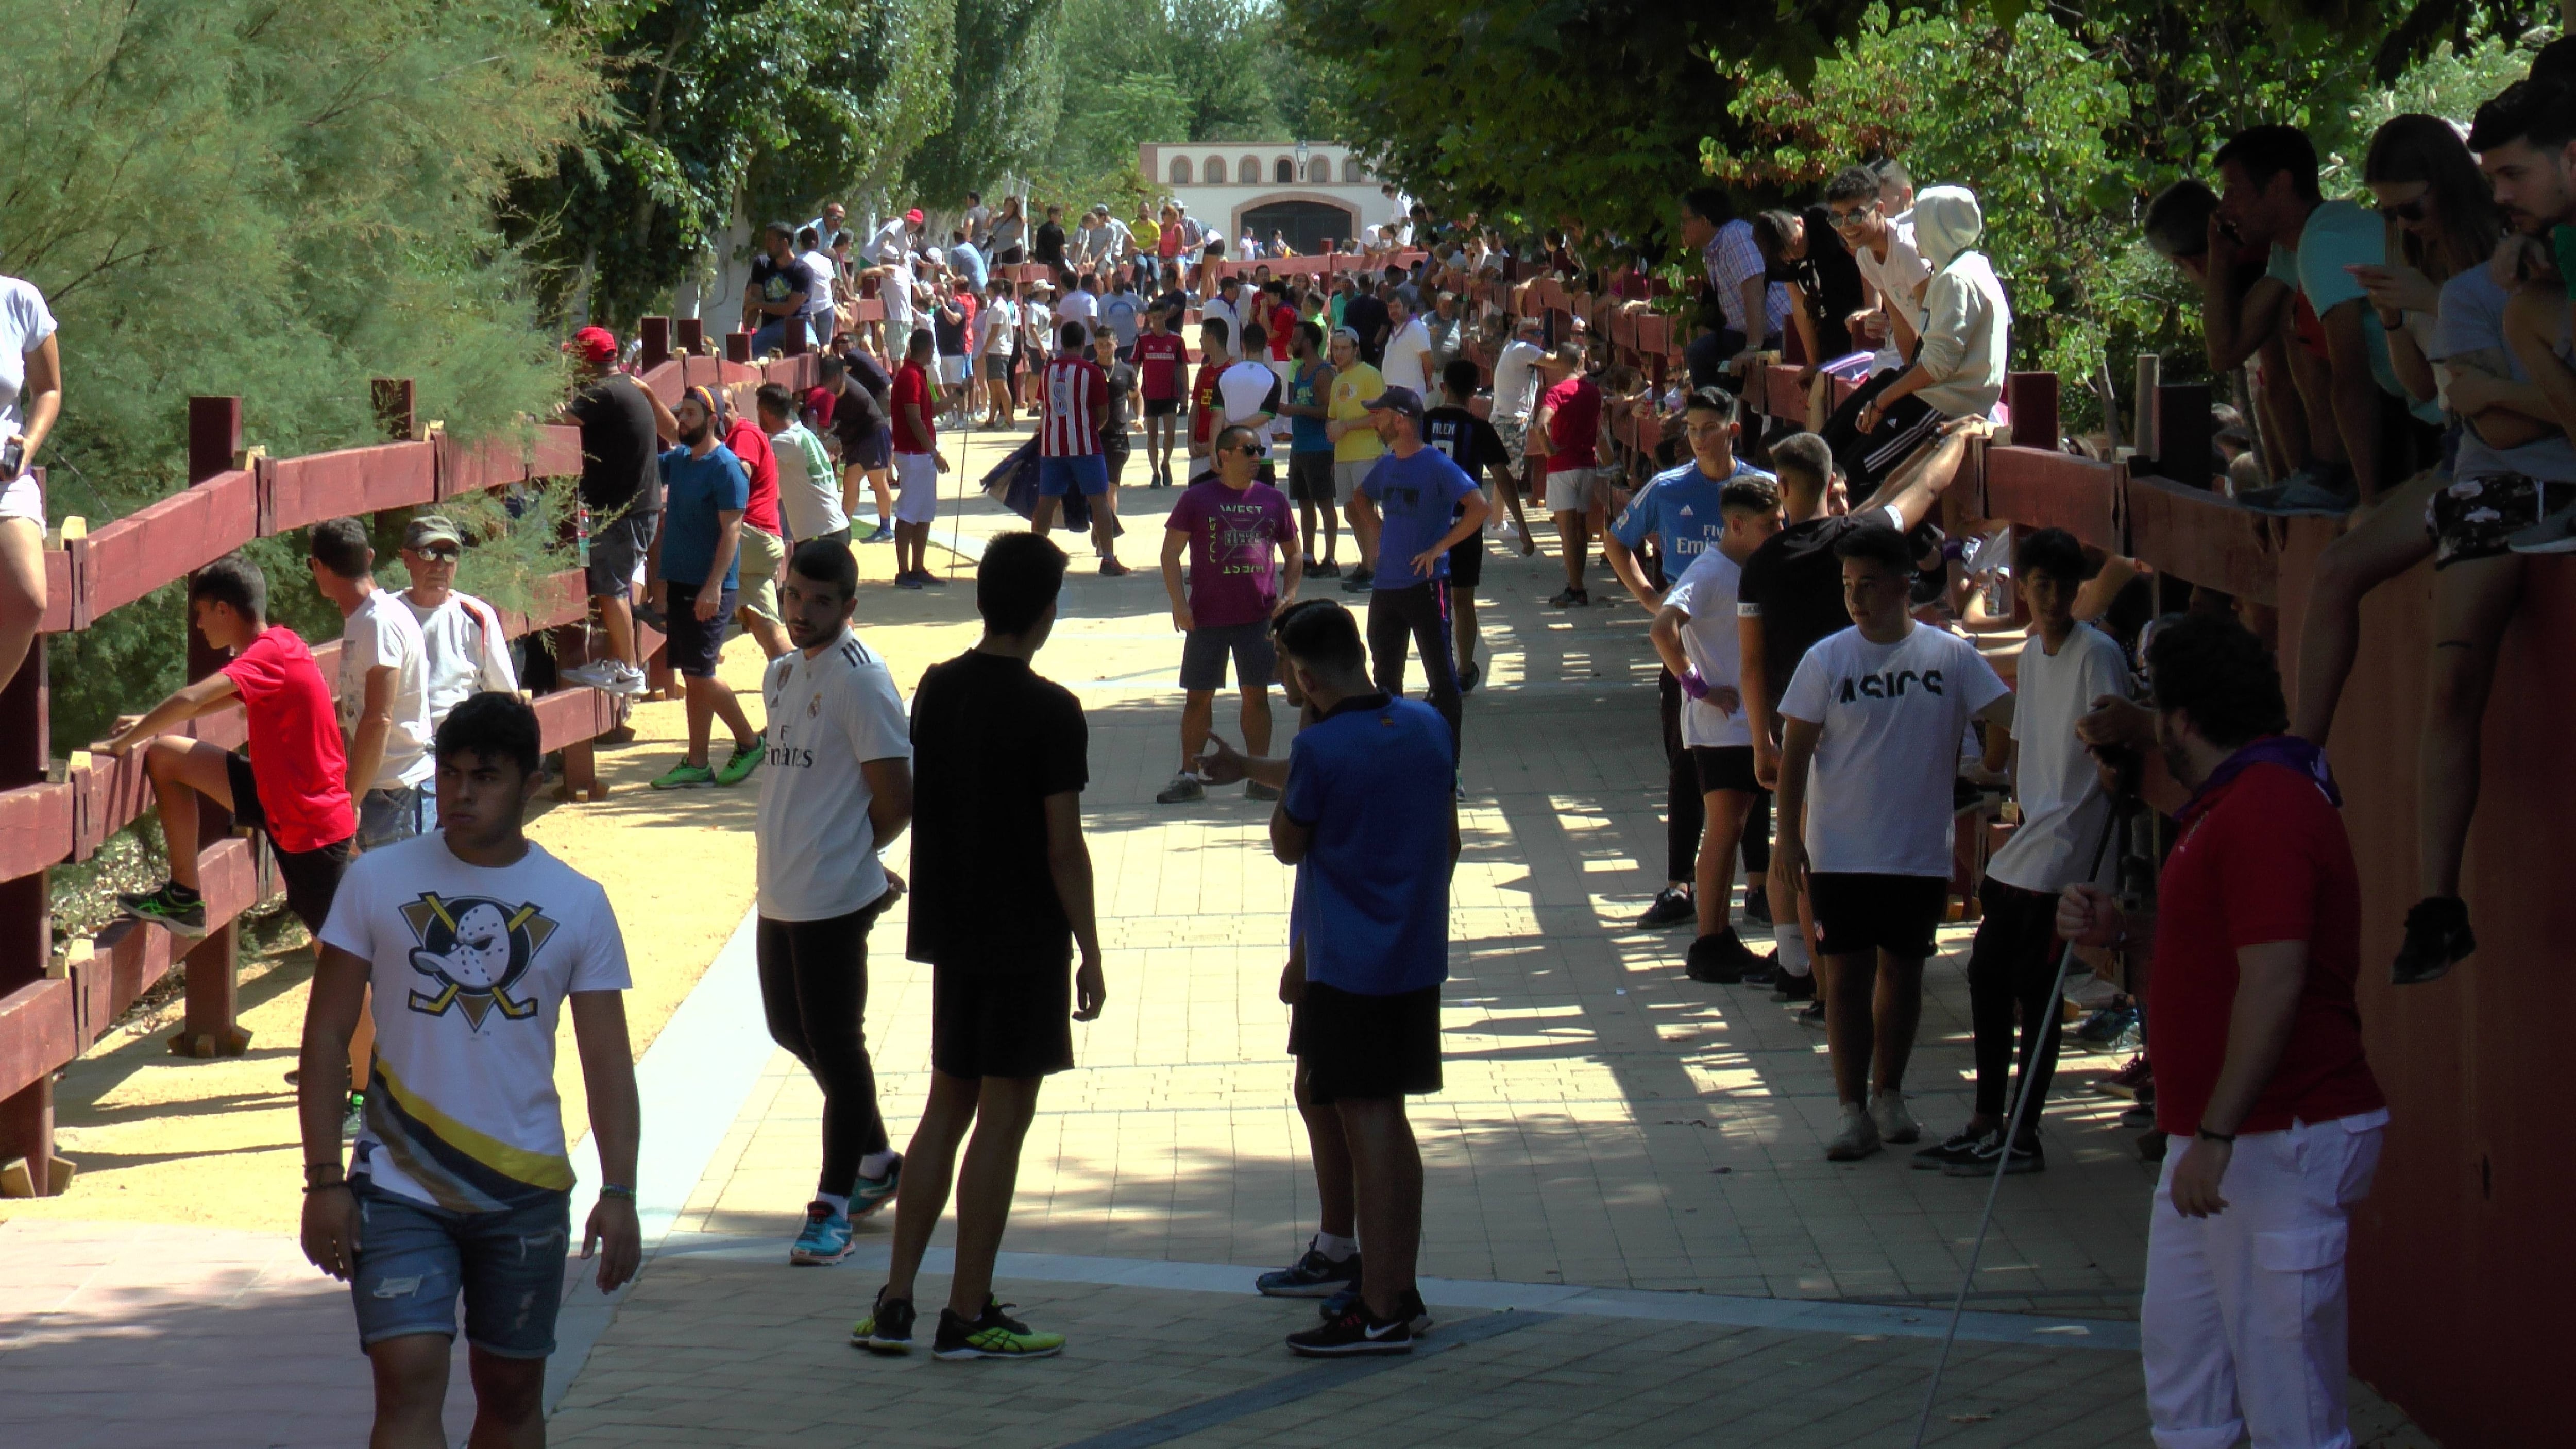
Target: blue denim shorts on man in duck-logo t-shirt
[416,1260]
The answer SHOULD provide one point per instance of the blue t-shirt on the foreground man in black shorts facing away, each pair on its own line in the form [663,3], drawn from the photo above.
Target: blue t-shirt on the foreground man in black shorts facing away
[1374,786]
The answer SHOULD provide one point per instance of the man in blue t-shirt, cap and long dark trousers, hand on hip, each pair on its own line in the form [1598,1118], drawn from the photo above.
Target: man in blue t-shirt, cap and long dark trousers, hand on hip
[1413,508]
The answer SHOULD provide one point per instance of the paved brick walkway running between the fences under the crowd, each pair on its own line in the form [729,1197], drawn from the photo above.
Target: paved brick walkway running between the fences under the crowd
[1632,1232]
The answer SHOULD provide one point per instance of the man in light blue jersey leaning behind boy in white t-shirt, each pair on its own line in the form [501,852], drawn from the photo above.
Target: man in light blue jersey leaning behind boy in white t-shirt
[1678,508]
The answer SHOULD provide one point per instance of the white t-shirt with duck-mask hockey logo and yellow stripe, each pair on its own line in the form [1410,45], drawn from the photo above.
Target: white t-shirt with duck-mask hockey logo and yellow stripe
[470,969]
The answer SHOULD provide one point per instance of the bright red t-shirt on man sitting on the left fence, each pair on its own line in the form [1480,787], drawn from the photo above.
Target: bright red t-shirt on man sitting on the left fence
[295,743]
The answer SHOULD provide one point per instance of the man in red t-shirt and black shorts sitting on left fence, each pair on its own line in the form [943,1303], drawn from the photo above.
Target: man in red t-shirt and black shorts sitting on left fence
[295,773]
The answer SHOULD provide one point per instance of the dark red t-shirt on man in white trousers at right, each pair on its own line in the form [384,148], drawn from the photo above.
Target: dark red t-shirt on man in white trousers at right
[2263,861]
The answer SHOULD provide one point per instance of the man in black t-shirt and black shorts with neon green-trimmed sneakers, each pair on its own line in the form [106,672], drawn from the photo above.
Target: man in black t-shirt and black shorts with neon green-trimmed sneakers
[1001,897]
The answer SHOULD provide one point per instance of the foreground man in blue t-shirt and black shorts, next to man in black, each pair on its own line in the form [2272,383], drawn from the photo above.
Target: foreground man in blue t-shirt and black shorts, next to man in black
[1372,827]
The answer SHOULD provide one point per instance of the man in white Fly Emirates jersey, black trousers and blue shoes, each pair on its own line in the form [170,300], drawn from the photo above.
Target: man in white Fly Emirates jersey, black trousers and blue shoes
[838,789]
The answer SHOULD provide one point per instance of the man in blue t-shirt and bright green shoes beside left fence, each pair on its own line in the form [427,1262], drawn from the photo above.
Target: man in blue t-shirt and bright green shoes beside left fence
[692,575]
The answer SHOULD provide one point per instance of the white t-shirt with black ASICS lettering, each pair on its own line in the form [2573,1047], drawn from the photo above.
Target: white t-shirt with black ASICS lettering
[1879,797]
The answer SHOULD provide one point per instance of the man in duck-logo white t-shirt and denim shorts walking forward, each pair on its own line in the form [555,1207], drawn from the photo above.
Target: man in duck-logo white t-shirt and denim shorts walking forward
[473,941]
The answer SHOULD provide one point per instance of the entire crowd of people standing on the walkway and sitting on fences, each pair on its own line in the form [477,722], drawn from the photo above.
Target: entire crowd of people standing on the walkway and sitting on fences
[1841,683]
